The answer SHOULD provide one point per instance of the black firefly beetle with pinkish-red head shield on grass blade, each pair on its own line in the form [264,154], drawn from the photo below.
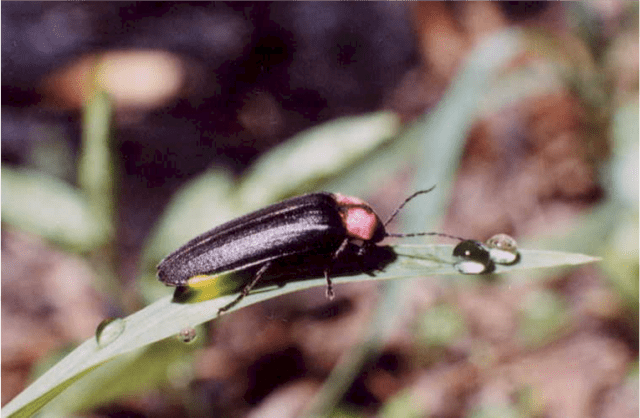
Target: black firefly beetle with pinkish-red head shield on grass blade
[313,228]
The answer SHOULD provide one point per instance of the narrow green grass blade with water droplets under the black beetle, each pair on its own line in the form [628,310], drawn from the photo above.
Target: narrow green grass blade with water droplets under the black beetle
[166,318]
